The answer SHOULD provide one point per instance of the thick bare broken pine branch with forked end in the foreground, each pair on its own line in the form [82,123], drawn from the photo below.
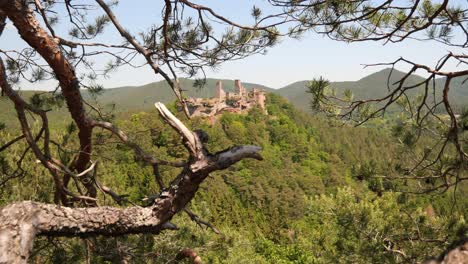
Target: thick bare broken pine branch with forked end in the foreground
[21,222]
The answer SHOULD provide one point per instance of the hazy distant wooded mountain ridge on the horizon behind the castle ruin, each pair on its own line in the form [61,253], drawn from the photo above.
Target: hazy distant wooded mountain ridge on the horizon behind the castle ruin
[138,98]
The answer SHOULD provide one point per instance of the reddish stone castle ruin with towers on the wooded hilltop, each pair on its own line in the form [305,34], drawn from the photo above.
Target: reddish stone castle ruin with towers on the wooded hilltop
[239,101]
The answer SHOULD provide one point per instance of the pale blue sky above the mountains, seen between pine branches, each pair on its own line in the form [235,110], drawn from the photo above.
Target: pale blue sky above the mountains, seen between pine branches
[291,60]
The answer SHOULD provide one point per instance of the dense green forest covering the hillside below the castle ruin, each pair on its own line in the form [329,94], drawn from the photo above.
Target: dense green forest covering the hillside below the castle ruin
[314,199]
